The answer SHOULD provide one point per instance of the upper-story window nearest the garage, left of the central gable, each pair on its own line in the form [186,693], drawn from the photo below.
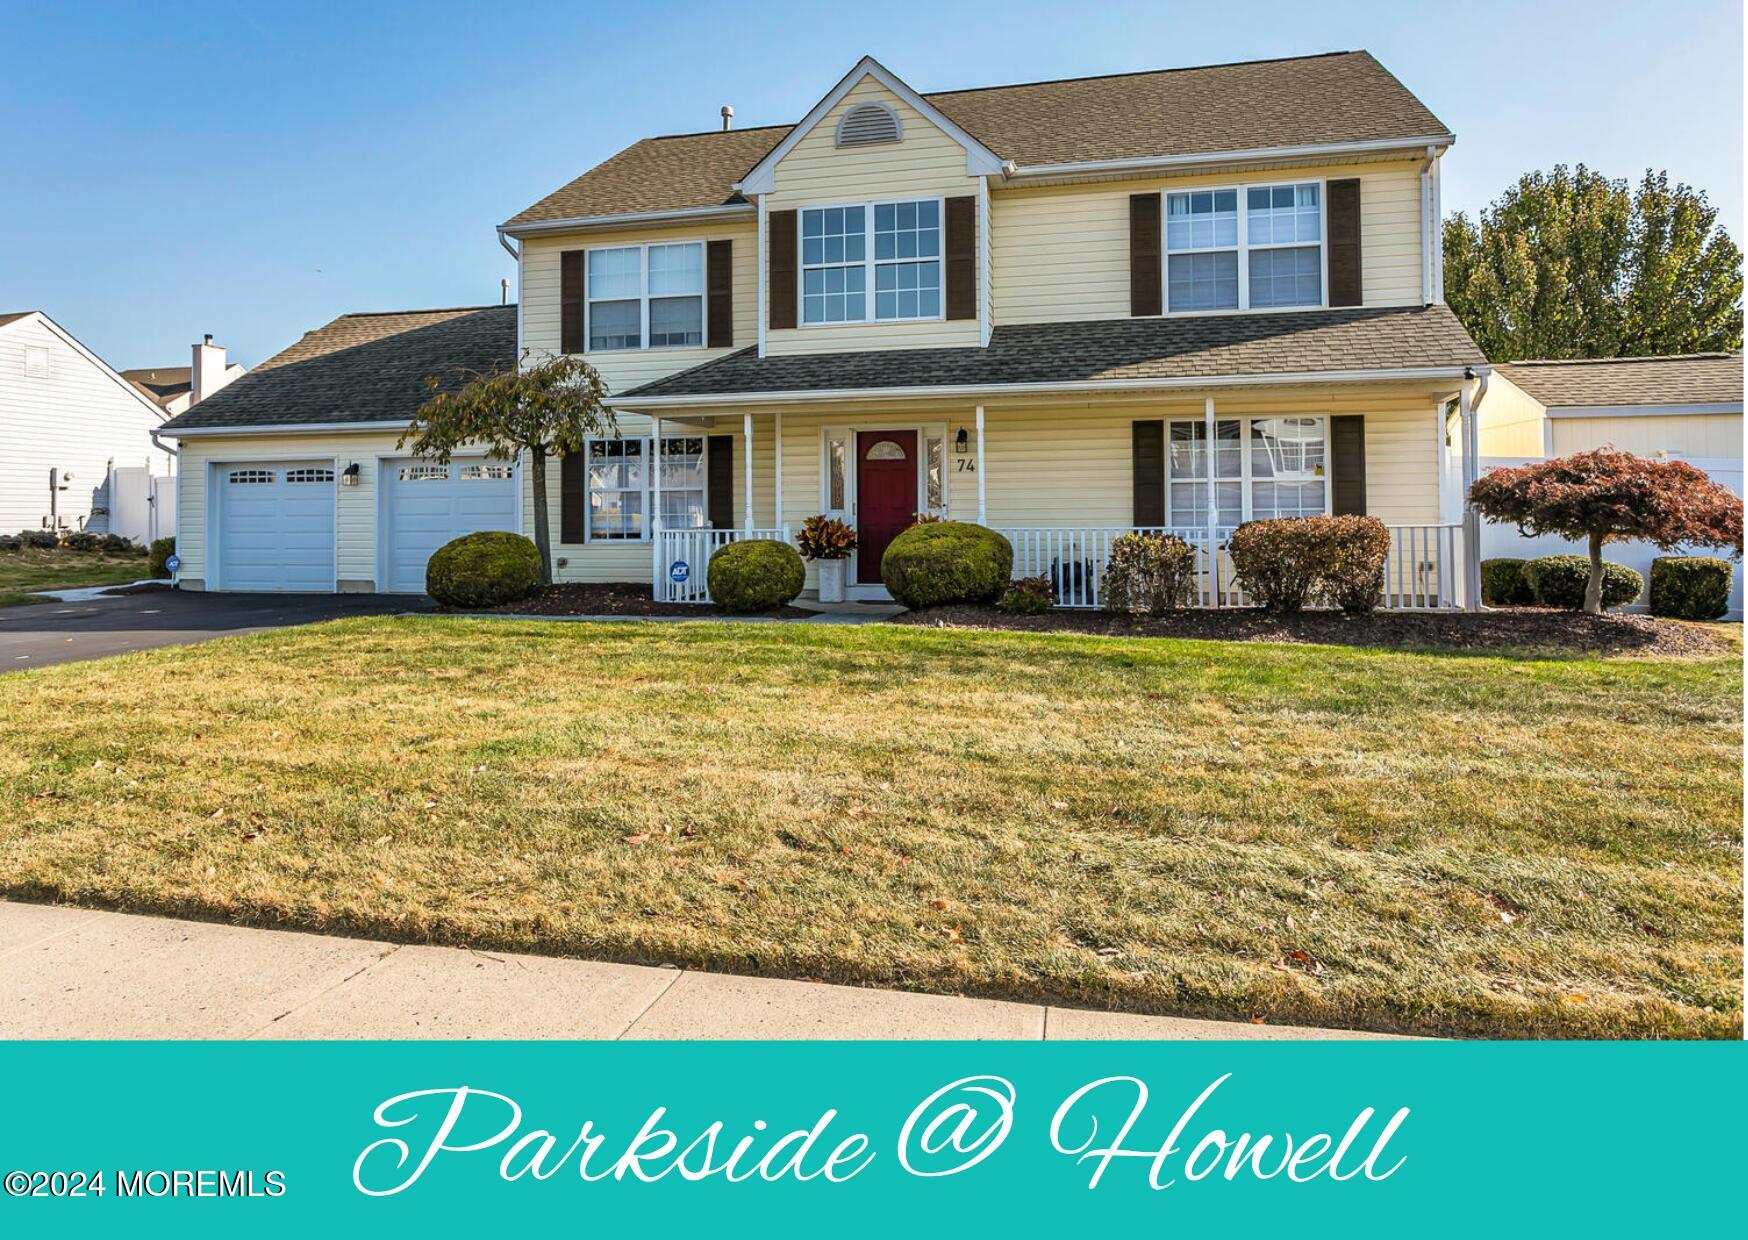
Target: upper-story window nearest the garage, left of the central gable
[648,296]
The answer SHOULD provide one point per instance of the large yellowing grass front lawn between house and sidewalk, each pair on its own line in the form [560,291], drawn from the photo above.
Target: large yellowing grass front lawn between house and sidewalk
[1387,840]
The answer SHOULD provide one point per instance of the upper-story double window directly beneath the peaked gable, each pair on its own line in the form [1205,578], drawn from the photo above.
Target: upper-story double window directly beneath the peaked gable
[847,277]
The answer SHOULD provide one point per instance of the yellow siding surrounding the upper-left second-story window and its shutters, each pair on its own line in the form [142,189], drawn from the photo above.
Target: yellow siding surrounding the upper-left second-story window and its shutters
[627,370]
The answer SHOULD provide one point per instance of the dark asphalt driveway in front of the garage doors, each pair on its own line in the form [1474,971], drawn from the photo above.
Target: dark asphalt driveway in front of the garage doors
[41,634]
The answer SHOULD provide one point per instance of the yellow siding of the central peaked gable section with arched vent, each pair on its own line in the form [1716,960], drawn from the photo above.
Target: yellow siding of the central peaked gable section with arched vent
[926,164]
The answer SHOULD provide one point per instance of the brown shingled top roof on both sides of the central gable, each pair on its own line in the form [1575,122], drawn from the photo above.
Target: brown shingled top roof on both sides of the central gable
[1308,101]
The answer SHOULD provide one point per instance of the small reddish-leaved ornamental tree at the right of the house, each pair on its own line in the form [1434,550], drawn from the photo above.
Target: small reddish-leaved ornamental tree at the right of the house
[1607,496]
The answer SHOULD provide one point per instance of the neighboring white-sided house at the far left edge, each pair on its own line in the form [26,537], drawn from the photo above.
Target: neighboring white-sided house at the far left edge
[69,421]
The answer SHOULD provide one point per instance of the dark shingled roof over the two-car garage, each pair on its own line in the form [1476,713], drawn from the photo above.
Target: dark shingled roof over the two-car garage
[361,368]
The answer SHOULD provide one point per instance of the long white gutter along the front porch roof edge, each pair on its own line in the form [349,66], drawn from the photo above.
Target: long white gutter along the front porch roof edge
[1079,387]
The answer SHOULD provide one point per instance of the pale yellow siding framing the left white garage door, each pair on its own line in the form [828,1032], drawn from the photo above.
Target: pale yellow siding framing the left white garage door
[354,506]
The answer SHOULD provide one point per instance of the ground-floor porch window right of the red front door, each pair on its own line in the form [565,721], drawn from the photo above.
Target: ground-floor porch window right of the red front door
[1263,468]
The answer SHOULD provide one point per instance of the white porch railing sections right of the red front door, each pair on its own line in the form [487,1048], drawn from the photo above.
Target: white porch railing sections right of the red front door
[1420,575]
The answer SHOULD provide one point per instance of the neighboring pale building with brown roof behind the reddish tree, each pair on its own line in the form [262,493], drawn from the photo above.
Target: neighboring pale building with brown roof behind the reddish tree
[1667,408]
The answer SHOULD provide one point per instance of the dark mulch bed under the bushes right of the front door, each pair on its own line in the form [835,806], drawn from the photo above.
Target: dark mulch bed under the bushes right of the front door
[1518,629]
